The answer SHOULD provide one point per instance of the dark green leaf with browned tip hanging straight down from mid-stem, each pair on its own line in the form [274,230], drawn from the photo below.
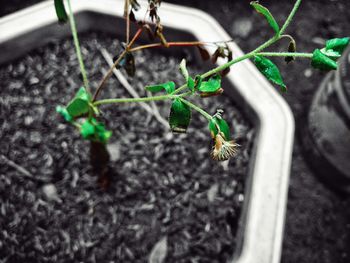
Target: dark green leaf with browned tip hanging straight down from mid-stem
[180,116]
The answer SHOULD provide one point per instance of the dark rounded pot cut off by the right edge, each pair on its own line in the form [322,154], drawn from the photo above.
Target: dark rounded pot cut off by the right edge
[326,136]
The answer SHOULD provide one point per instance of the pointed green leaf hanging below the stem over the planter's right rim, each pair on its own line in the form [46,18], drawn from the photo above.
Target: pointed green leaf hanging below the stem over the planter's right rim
[270,71]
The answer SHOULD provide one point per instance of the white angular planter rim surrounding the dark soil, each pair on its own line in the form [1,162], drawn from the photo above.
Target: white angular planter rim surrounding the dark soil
[261,226]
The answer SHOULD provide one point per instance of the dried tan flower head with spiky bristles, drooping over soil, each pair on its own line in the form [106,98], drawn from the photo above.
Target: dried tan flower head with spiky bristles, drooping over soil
[223,150]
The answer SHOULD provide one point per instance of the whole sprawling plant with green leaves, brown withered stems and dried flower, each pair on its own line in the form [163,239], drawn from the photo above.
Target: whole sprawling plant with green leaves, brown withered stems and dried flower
[83,110]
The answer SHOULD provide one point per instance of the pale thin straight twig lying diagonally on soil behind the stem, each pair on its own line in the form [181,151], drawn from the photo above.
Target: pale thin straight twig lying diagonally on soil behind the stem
[154,111]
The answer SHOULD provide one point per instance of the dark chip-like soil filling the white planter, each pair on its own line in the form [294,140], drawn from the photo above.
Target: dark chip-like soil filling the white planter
[163,185]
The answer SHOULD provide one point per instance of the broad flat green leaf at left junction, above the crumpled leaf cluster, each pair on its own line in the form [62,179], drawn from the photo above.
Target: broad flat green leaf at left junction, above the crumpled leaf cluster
[80,104]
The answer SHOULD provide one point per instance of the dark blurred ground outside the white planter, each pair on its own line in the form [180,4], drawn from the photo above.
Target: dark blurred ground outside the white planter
[318,219]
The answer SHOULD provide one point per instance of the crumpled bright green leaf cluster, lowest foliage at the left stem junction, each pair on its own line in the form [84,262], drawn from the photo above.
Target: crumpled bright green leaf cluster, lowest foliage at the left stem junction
[92,130]
